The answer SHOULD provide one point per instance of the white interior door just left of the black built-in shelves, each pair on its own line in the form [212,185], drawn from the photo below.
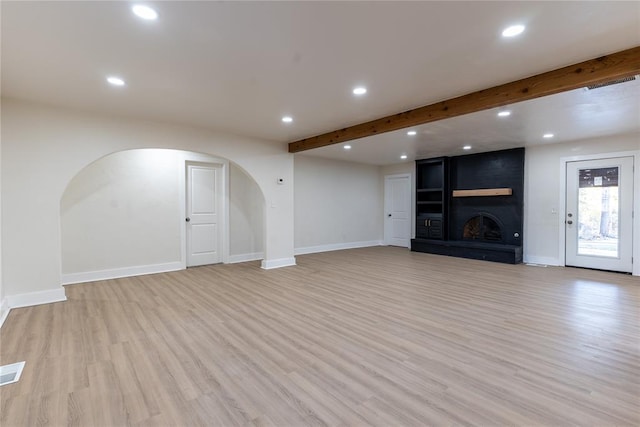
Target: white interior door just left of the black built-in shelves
[397,208]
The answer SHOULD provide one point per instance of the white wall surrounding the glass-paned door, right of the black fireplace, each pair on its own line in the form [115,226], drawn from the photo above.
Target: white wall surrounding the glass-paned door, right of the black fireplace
[542,191]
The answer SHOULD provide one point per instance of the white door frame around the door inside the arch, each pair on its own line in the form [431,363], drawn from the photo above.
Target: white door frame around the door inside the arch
[204,160]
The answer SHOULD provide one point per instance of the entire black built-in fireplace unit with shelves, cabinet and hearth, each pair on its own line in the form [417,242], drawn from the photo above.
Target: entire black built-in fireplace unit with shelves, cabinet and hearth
[441,220]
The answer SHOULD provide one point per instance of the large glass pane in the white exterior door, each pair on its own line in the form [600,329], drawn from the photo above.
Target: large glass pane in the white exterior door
[598,207]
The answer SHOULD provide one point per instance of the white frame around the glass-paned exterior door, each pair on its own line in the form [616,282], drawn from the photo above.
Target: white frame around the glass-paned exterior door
[562,206]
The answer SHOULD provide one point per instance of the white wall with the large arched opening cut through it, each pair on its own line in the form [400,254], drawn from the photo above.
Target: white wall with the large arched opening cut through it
[43,148]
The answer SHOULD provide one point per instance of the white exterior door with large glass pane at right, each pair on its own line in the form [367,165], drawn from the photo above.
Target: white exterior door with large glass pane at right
[599,214]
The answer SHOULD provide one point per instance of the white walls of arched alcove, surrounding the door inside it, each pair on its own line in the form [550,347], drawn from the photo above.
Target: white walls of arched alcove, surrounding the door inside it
[123,214]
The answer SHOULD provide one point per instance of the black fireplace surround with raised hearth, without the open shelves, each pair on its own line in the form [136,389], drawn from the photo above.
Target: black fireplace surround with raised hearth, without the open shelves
[481,227]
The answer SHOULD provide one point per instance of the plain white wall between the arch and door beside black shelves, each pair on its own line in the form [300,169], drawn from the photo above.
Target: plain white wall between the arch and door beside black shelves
[337,204]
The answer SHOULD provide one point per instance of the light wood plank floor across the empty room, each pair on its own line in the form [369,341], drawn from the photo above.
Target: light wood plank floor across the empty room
[375,336]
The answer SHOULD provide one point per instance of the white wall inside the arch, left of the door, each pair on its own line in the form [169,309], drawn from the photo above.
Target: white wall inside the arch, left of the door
[122,211]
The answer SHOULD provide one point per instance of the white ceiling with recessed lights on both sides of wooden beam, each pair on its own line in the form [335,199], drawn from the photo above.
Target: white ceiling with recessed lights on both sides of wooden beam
[240,66]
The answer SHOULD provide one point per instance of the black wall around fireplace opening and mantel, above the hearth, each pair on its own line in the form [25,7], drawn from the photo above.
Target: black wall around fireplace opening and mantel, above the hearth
[496,169]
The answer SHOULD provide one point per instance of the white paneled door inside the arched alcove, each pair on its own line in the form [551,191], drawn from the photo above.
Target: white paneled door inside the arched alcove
[204,214]
